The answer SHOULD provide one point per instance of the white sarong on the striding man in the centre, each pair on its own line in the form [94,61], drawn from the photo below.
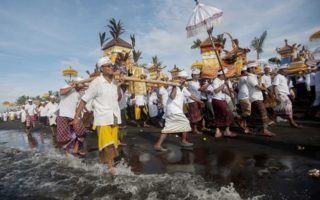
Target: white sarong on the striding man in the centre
[176,123]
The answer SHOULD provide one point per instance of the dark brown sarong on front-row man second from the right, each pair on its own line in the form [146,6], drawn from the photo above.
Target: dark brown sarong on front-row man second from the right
[259,116]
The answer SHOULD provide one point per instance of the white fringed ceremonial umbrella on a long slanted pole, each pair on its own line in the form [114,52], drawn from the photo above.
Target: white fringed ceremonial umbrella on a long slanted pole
[205,18]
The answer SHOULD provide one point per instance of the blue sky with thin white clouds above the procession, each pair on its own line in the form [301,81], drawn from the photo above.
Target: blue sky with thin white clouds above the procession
[40,38]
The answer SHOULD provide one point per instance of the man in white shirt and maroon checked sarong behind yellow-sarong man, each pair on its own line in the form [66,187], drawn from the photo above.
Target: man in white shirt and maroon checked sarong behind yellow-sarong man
[71,137]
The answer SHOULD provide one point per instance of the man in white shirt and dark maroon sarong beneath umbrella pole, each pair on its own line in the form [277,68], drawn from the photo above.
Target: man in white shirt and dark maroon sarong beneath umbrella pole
[223,116]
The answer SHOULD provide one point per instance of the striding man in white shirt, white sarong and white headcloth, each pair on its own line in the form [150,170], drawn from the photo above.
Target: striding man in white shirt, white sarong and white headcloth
[176,121]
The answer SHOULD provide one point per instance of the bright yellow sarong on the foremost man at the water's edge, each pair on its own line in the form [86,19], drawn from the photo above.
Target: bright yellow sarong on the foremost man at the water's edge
[107,135]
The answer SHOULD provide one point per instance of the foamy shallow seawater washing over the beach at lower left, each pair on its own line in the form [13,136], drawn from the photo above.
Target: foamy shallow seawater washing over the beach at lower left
[35,169]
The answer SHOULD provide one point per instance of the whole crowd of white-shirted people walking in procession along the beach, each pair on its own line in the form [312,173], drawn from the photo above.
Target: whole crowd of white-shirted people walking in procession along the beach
[252,102]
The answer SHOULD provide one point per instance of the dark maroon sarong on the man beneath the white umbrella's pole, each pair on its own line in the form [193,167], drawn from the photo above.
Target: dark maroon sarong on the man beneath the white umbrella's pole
[223,117]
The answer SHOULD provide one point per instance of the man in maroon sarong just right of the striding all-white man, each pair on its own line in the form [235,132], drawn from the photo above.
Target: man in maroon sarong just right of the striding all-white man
[195,107]
